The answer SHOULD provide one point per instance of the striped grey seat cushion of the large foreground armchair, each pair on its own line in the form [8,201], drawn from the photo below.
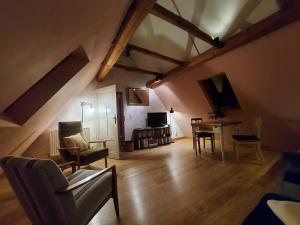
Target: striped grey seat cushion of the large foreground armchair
[89,196]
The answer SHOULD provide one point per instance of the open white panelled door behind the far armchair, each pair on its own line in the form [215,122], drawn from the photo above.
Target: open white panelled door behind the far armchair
[107,118]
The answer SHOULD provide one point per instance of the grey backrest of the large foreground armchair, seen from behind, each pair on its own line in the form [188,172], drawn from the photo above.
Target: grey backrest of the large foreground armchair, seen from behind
[35,183]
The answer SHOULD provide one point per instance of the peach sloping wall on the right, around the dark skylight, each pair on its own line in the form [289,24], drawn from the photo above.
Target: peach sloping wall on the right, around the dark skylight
[265,75]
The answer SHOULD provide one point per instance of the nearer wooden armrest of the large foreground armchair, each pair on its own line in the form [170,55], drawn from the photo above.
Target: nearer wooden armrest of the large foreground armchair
[86,180]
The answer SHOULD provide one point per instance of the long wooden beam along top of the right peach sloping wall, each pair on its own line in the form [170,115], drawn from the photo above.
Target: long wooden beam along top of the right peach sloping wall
[273,22]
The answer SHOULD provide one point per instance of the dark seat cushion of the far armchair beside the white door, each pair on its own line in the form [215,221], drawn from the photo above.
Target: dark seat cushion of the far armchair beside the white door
[89,156]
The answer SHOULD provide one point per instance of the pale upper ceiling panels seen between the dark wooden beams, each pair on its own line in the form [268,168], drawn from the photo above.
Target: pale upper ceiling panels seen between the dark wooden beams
[218,18]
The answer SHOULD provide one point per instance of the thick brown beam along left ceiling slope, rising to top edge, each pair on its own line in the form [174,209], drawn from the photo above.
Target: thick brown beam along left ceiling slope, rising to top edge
[135,15]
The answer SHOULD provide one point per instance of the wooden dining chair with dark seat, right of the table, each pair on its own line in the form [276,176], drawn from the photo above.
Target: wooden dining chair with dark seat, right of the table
[251,140]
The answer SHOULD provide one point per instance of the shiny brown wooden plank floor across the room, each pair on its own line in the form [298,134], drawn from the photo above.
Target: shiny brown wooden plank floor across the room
[171,186]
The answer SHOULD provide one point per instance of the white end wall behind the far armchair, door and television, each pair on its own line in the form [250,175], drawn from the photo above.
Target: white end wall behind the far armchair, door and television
[135,116]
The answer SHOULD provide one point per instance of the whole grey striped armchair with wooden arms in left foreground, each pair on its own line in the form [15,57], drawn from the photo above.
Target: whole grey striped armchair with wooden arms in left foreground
[48,197]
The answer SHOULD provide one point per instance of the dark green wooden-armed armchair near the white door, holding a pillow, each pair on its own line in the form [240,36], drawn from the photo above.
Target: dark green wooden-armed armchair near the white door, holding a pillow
[66,129]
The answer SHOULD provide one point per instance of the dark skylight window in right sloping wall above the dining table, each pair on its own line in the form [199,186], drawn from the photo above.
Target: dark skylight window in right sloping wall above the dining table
[219,92]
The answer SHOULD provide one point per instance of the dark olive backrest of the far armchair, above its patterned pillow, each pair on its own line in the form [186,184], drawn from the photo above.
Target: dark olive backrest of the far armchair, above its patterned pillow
[66,129]
